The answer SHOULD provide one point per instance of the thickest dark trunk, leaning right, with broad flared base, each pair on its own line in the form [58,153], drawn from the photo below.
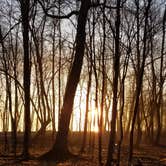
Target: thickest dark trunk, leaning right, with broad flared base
[60,150]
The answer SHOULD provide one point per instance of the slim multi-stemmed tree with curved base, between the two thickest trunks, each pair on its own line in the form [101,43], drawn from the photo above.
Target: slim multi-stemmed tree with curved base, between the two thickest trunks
[42,95]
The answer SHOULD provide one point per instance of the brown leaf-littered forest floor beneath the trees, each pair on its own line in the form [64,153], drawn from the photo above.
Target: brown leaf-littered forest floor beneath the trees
[147,155]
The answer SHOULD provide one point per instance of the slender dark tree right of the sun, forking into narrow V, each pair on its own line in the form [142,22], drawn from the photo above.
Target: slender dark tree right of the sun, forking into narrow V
[140,71]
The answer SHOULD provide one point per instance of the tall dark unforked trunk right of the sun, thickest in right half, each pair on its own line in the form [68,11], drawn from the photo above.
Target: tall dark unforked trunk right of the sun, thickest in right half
[115,86]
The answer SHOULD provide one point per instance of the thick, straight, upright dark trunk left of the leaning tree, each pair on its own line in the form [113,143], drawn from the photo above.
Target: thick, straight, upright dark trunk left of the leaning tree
[27,124]
